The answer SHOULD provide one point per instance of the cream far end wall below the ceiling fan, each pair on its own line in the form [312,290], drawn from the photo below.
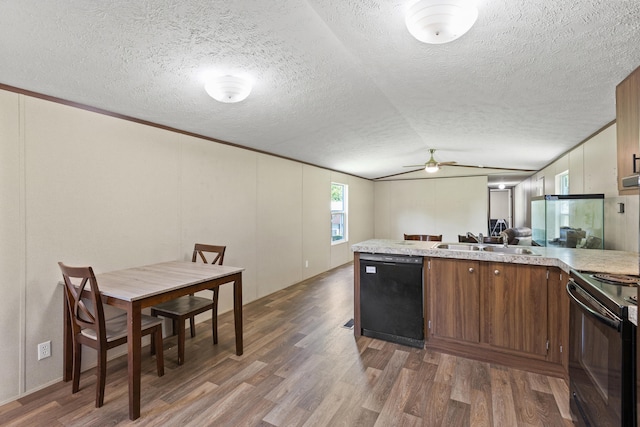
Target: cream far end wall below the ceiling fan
[447,206]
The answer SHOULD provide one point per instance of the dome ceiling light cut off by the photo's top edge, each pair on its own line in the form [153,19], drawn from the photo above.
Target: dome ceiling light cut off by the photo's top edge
[440,21]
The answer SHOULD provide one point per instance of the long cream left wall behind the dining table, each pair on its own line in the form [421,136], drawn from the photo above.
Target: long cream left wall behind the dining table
[90,189]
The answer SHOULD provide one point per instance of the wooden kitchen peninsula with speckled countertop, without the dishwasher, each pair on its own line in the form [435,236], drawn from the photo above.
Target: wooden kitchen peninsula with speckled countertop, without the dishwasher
[497,307]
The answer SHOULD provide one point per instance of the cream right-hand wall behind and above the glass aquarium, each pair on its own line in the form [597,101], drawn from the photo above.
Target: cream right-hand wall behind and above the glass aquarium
[592,170]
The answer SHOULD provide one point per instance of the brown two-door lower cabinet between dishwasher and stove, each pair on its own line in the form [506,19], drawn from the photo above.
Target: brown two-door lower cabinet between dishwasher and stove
[512,314]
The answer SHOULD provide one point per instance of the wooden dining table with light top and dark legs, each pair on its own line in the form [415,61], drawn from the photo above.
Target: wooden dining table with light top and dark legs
[133,289]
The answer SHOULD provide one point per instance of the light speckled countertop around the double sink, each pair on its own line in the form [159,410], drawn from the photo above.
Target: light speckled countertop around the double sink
[599,260]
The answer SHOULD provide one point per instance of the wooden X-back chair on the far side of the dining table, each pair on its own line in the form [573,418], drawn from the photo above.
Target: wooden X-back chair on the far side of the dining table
[187,307]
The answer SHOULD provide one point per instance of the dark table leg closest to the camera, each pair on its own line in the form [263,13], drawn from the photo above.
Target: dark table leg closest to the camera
[134,348]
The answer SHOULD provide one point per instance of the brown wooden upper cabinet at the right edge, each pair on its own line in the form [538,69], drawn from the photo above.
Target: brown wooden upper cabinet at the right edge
[628,127]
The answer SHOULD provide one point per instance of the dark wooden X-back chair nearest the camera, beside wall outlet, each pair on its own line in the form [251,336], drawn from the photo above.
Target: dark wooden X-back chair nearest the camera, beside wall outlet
[89,326]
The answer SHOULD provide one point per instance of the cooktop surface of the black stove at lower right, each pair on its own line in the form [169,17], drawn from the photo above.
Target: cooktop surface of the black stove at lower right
[614,291]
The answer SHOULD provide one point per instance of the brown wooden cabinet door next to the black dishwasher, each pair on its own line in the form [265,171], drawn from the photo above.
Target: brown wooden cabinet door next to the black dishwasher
[454,299]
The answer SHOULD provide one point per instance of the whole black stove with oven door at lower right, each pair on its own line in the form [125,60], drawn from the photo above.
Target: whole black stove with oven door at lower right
[602,349]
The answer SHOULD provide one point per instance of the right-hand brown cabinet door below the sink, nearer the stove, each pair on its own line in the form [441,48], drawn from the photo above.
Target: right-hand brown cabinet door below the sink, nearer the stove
[515,307]
